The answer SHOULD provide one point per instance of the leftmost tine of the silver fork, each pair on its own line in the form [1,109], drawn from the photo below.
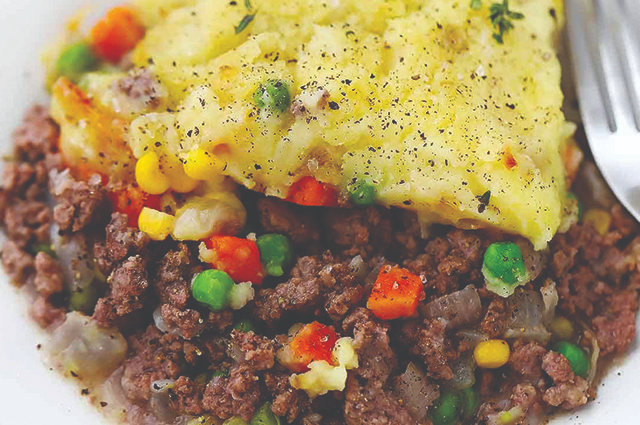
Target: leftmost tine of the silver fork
[592,95]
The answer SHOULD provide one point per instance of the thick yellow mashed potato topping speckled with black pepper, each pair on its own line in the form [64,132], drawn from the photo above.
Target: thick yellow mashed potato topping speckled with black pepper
[415,97]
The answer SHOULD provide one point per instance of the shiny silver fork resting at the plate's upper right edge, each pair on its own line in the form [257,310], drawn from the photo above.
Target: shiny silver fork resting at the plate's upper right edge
[605,49]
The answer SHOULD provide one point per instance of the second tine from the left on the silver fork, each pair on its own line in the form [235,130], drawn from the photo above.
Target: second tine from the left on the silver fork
[613,46]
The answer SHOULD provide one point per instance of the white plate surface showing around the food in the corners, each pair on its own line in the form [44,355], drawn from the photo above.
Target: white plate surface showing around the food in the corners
[29,392]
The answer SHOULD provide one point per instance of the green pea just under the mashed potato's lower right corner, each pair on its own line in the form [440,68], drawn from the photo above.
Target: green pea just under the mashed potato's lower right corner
[503,260]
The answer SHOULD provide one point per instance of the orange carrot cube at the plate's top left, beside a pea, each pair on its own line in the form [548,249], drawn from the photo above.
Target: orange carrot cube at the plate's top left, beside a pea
[116,34]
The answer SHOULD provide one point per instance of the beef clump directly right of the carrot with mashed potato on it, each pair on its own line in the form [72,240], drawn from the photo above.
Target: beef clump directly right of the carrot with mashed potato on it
[376,358]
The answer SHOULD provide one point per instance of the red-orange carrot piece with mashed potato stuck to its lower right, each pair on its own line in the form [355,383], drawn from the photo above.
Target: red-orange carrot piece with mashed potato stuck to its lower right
[314,341]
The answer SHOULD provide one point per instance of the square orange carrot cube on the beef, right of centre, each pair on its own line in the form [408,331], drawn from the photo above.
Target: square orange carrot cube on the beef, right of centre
[396,293]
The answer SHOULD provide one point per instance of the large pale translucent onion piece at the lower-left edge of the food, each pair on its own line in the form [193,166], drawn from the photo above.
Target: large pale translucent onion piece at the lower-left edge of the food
[85,350]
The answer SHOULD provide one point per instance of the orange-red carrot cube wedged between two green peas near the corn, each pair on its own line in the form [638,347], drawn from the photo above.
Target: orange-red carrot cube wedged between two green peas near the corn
[238,257]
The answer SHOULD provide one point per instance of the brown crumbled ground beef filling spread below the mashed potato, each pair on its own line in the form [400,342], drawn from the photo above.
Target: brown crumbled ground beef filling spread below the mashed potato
[225,372]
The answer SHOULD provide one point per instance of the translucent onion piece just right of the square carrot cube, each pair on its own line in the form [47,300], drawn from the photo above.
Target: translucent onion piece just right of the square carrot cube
[458,309]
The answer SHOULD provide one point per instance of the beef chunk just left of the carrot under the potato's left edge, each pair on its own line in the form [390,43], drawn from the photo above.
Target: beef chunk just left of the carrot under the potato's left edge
[80,206]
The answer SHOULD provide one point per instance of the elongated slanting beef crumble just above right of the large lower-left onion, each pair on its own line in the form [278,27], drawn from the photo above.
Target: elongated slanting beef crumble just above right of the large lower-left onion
[128,284]
